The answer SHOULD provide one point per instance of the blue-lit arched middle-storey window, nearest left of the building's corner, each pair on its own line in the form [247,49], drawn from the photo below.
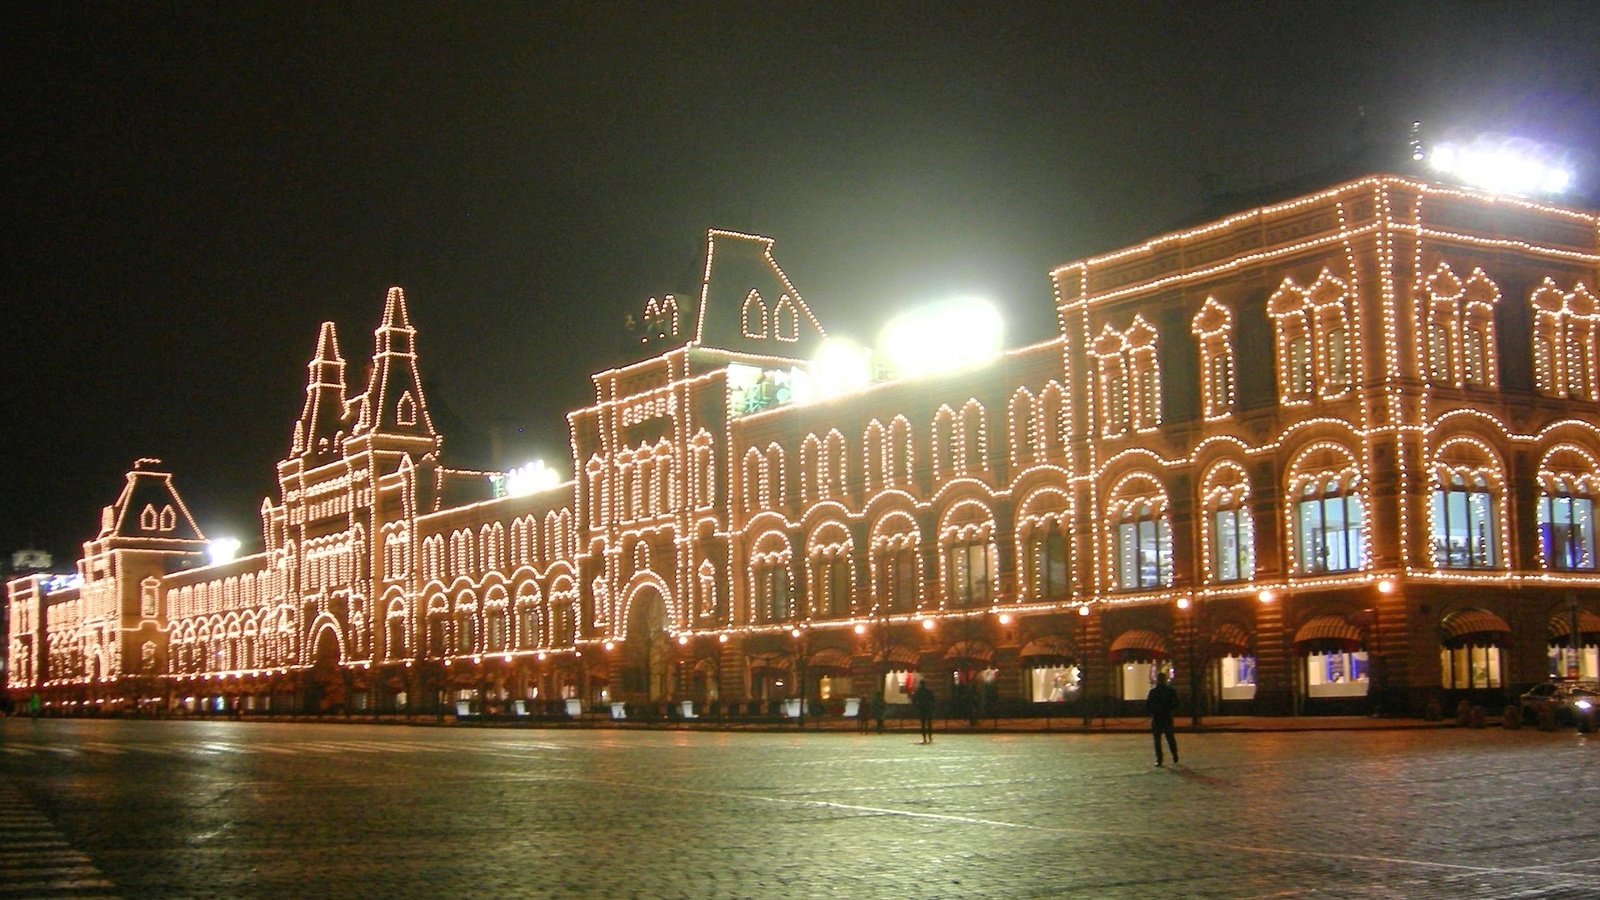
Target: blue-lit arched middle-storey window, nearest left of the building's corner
[1327,512]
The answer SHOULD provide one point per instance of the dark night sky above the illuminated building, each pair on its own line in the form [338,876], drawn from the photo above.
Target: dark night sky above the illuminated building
[190,190]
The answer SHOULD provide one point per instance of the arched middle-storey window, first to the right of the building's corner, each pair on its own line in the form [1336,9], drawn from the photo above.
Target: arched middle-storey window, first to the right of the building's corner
[1468,515]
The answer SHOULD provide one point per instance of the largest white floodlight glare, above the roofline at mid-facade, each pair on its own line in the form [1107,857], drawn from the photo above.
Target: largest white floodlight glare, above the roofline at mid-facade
[943,337]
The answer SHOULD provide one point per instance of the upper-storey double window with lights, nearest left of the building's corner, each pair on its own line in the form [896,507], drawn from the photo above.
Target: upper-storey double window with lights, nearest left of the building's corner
[1313,340]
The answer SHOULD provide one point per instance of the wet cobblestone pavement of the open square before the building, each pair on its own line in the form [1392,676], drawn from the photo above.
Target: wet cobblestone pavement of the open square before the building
[249,810]
